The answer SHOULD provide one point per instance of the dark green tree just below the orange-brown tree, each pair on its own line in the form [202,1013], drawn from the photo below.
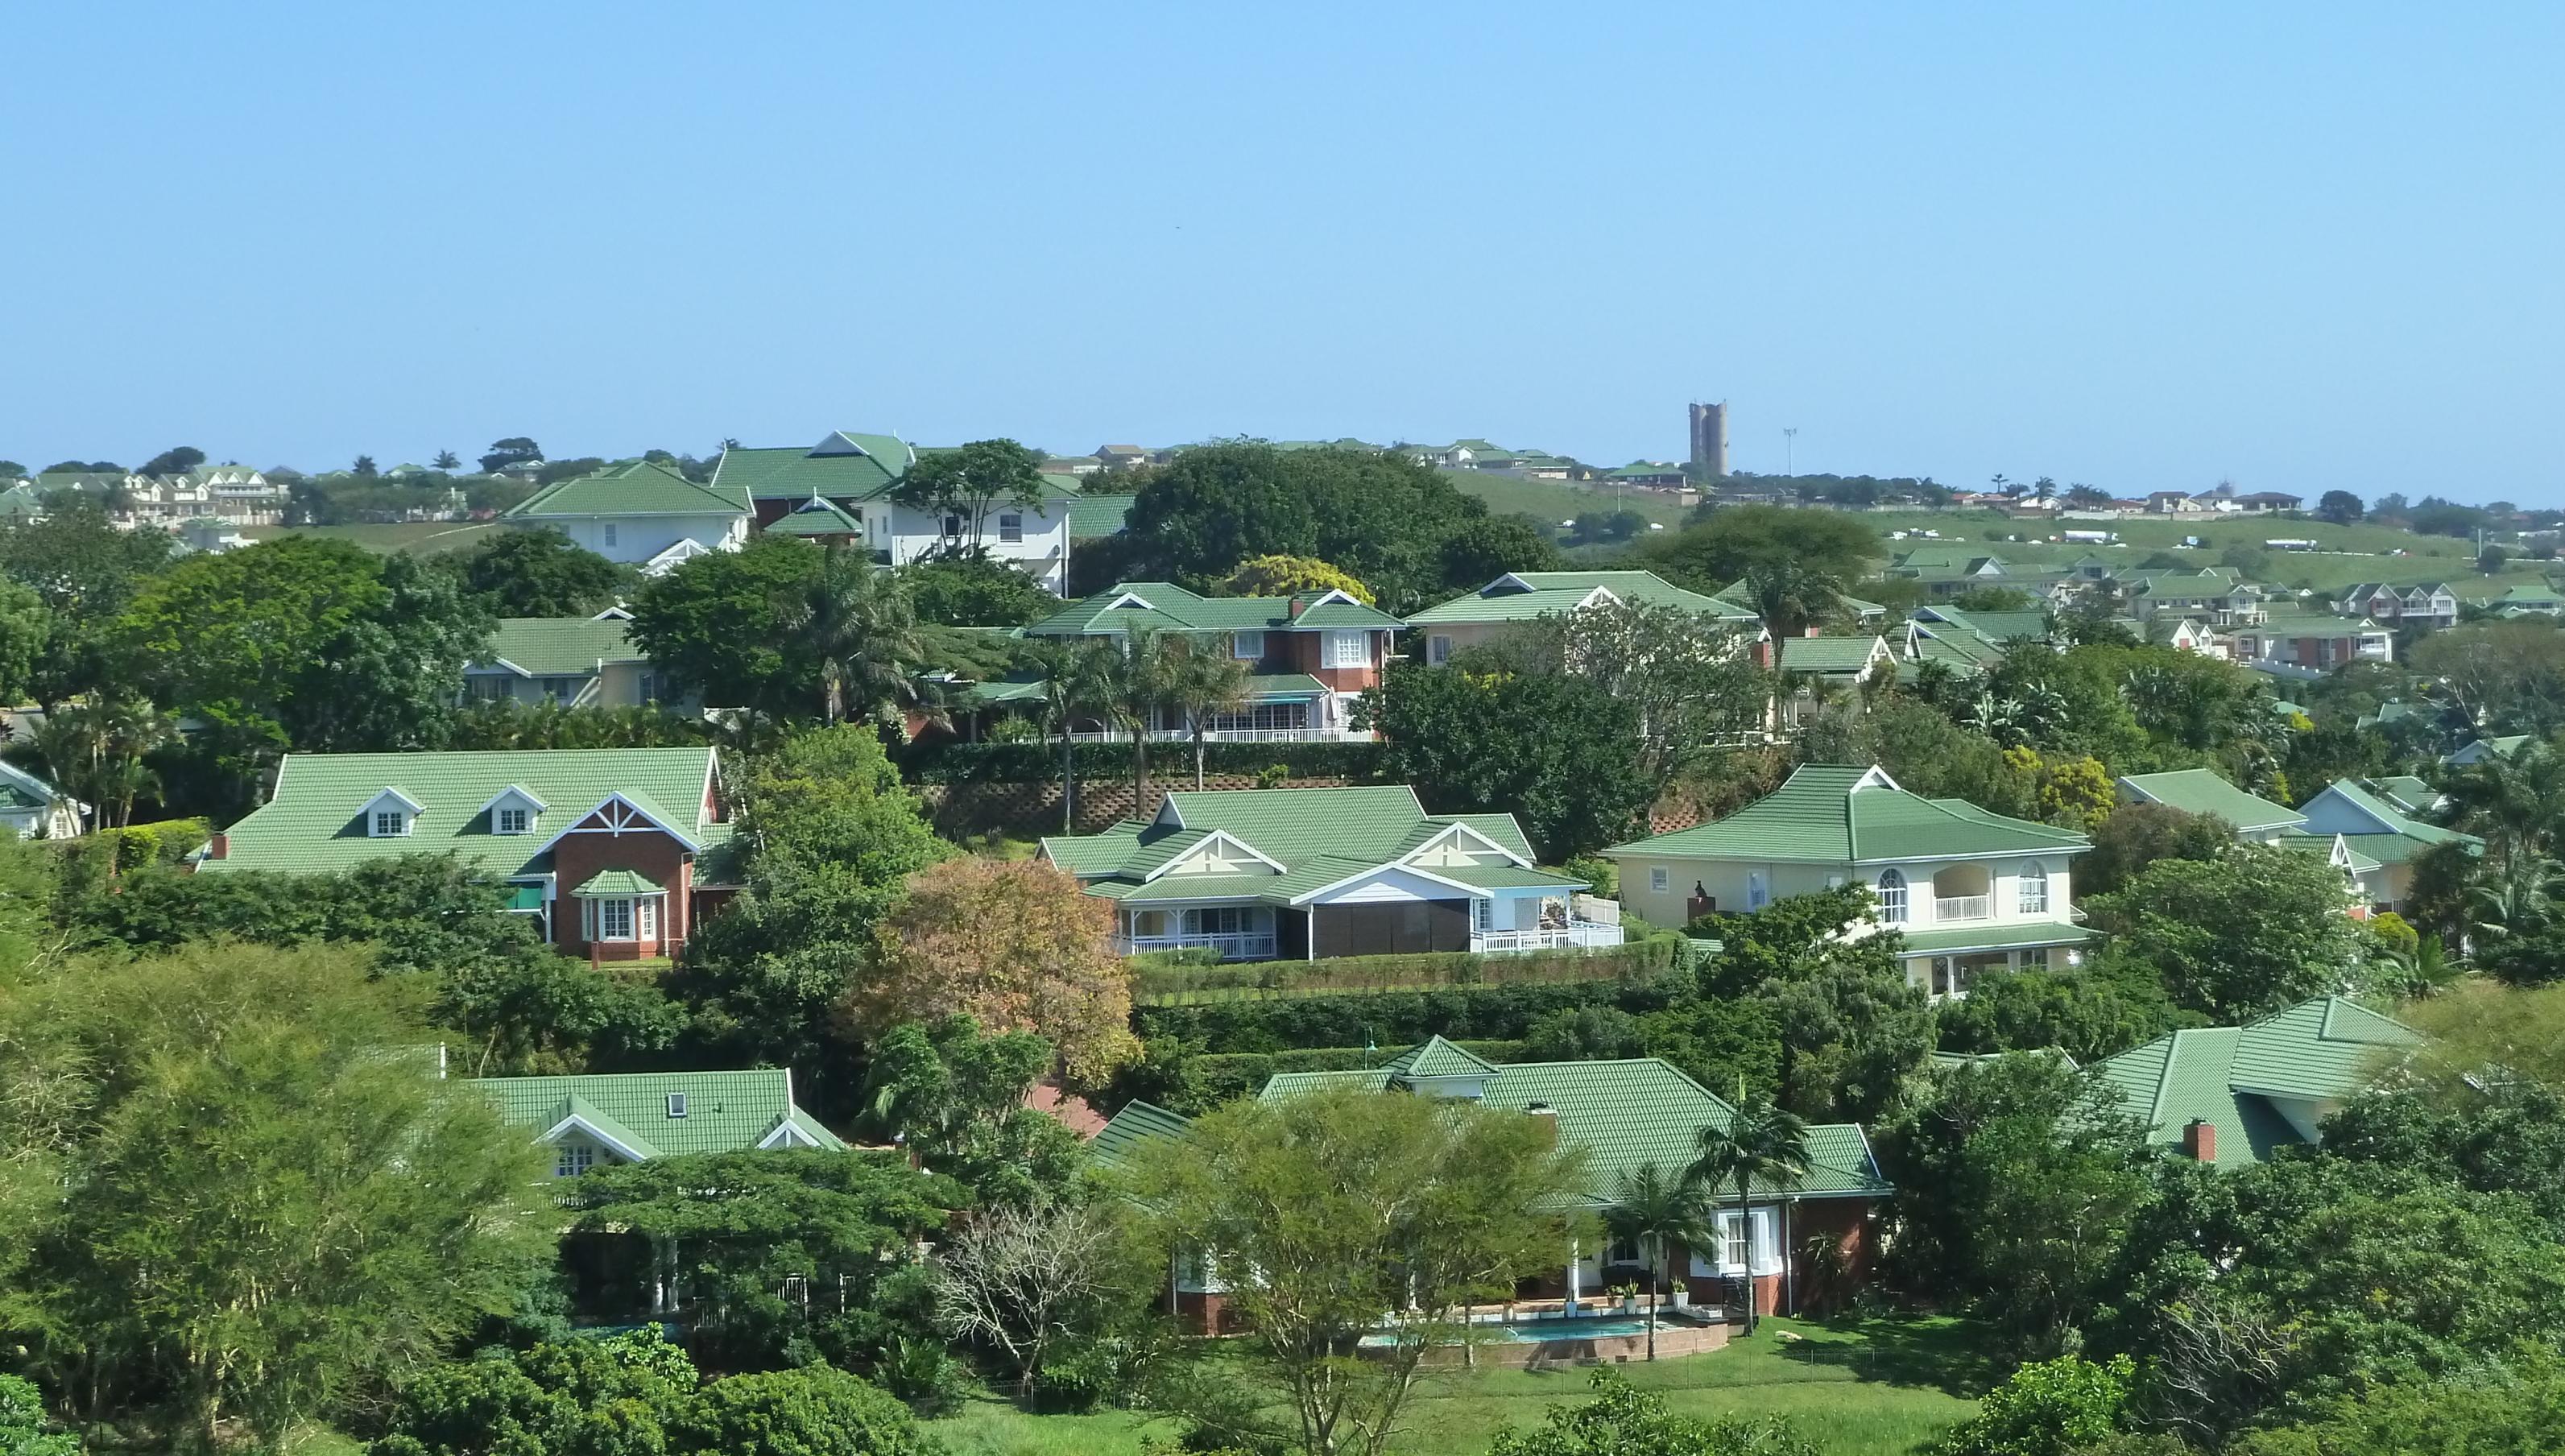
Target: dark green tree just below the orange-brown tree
[955,1098]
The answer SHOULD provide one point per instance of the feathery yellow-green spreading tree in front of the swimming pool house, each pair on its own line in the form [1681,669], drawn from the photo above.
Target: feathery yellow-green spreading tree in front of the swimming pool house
[1348,1204]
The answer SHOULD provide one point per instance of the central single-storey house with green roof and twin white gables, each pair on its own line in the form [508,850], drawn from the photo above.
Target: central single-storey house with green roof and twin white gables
[1266,875]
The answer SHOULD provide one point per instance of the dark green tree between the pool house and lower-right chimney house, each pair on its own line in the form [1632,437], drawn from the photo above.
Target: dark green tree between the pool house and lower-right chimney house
[2015,1183]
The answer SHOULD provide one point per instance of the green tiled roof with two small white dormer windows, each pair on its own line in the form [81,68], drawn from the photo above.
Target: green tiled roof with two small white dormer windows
[312,824]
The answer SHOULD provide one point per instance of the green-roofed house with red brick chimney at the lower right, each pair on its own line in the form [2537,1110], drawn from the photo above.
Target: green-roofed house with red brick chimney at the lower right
[2233,1096]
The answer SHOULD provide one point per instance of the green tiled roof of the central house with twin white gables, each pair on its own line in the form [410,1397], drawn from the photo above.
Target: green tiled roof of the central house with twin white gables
[1320,837]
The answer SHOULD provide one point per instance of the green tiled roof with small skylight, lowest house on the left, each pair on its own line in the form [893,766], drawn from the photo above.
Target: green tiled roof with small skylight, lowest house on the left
[725,1111]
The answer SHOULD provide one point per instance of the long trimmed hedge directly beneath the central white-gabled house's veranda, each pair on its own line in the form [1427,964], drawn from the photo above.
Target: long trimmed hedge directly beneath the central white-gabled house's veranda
[1163,983]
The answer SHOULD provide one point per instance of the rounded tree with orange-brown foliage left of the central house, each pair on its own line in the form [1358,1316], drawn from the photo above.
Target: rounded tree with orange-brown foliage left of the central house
[1014,945]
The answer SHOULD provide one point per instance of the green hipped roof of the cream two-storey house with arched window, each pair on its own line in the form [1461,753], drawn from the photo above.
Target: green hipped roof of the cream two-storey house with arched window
[1830,814]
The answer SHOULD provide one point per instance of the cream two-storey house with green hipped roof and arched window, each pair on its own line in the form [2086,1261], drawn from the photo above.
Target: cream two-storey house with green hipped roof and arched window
[1969,888]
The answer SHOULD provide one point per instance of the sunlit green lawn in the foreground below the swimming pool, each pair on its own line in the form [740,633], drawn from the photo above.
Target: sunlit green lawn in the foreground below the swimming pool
[1871,1388]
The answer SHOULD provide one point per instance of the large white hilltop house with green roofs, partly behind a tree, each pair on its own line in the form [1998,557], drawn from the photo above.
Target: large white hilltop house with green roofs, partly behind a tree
[845,488]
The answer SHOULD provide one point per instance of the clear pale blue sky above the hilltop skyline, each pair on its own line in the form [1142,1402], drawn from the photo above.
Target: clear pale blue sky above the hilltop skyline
[2143,247]
